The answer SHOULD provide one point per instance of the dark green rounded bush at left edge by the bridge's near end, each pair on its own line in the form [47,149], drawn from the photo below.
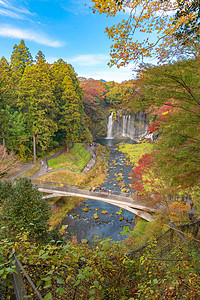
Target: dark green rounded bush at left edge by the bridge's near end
[23,210]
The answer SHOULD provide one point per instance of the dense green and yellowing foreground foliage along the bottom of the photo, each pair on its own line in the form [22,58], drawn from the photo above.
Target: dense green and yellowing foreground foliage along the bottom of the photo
[103,271]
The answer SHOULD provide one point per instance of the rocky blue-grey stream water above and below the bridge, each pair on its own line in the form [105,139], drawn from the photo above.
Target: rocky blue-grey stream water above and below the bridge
[81,222]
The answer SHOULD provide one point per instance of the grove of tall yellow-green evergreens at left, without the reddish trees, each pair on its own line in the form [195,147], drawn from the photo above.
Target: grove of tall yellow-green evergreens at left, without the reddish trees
[49,99]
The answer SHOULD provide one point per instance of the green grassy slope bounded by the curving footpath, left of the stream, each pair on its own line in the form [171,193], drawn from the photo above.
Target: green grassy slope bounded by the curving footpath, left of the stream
[74,160]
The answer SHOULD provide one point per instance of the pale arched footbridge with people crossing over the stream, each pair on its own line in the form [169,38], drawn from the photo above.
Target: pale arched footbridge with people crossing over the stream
[127,203]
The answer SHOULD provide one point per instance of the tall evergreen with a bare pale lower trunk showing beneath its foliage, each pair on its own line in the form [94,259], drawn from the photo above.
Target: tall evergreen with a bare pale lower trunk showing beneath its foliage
[36,102]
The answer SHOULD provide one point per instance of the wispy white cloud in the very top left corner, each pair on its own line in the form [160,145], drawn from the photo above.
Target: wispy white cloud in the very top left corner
[13,11]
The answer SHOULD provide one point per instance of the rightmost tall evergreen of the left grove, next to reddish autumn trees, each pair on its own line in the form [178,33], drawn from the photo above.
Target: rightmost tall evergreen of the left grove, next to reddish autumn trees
[68,97]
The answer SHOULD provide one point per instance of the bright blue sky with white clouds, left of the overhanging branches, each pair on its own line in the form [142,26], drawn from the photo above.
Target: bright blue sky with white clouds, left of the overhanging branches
[64,29]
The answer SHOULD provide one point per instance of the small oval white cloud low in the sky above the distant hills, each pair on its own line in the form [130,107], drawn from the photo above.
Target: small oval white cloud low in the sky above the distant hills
[89,60]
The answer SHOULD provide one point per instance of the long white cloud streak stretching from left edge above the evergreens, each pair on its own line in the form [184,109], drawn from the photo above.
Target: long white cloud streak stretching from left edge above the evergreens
[38,37]
